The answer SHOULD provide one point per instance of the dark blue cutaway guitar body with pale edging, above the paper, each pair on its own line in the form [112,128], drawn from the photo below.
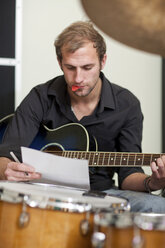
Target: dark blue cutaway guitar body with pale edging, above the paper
[72,136]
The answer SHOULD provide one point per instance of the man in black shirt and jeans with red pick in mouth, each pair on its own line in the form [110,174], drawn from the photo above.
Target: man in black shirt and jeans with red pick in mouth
[83,95]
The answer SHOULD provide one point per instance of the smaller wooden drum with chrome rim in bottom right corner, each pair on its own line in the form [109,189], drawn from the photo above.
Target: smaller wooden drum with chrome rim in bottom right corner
[129,230]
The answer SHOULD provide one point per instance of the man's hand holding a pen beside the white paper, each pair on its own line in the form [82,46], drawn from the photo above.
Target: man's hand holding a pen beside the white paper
[20,172]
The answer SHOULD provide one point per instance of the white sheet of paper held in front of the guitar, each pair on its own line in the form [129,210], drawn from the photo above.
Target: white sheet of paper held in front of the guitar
[57,169]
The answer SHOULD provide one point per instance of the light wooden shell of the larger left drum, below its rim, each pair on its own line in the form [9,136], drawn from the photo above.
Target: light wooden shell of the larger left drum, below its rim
[46,228]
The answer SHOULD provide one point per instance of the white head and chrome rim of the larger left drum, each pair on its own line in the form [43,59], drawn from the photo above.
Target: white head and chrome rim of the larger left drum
[46,196]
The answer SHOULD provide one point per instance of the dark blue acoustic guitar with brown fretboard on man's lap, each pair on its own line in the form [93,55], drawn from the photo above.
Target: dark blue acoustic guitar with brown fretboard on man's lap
[72,141]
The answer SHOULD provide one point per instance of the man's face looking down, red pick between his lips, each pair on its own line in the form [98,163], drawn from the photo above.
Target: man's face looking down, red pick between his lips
[82,69]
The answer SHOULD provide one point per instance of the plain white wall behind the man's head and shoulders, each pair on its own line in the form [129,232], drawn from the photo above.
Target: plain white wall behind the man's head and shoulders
[138,71]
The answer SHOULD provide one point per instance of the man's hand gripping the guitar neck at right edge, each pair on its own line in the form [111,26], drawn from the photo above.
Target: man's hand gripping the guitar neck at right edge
[158,174]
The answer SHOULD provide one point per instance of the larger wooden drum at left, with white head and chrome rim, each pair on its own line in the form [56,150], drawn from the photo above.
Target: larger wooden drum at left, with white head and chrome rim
[44,216]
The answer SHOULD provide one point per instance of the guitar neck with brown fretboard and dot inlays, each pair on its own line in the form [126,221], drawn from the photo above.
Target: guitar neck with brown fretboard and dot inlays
[111,159]
